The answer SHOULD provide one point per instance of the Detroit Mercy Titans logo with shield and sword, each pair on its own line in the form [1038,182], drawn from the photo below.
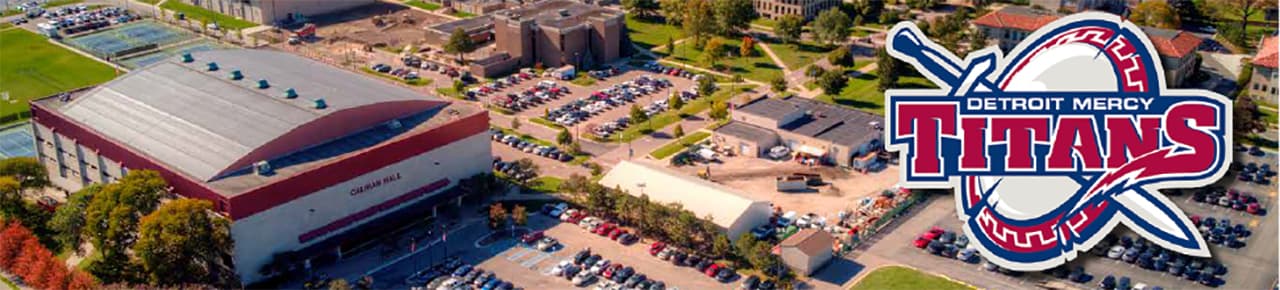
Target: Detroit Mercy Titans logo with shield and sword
[1050,148]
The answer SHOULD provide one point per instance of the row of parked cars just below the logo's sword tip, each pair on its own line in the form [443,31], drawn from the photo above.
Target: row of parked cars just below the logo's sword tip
[1150,256]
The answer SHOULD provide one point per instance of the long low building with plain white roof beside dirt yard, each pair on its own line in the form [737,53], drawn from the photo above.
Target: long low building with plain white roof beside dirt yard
[729,209]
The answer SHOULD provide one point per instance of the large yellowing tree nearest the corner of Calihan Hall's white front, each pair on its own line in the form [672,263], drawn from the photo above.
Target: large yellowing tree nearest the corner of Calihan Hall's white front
[185,242]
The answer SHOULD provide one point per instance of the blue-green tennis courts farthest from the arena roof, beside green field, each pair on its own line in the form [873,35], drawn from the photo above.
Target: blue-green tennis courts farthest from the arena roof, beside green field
[129,39]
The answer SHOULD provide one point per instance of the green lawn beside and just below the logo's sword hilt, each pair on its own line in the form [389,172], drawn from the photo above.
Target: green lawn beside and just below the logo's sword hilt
[863,95]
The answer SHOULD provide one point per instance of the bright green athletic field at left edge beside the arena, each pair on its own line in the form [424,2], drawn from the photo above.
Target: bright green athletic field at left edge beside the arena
[35,68]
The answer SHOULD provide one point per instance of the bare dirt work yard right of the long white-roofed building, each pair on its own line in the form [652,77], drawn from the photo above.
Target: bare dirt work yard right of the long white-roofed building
[756,177]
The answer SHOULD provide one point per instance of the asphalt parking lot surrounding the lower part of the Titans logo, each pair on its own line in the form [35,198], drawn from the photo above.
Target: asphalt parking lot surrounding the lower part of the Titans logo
[1249,268]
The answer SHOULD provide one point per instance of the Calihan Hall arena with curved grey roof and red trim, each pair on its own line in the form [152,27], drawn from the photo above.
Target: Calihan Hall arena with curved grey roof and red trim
[298,154]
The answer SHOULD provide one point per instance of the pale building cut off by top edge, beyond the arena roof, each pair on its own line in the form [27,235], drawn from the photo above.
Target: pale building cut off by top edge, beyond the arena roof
[272,12]
